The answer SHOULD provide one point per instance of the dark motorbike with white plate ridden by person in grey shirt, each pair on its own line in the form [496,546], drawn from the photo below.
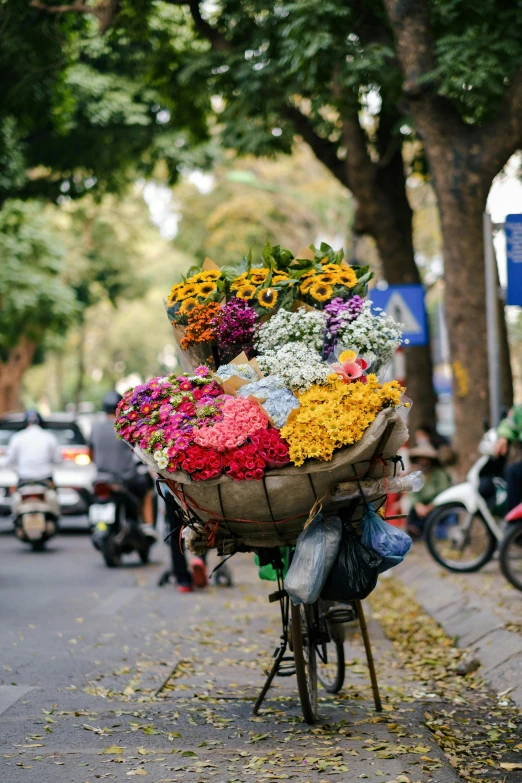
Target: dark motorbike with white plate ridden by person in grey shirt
[118,528]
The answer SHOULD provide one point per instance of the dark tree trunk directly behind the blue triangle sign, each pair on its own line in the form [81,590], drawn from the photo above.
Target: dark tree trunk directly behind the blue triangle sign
[387,216]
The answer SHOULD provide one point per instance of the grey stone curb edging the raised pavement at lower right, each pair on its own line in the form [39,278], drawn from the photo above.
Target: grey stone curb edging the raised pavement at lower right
[465,618]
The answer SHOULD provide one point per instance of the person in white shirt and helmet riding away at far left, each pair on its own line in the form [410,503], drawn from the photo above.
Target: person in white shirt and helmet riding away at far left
[33,452]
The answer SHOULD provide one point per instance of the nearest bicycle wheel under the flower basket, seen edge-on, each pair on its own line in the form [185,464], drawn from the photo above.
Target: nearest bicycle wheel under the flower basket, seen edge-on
[305,658]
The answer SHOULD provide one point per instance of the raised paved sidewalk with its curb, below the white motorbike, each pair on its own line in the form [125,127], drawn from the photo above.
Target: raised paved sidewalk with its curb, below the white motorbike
[481,611]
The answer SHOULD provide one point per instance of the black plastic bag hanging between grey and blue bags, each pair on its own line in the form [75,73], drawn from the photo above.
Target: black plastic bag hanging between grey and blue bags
[354,572]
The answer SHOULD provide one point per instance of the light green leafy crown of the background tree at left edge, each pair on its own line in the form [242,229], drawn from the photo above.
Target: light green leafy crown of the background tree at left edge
[33,295]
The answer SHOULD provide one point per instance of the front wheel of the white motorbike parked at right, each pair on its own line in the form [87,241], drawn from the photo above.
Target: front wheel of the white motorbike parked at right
[459,541]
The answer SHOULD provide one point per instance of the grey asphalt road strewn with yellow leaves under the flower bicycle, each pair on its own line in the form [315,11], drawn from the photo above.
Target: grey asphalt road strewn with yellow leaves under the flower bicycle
[149,682]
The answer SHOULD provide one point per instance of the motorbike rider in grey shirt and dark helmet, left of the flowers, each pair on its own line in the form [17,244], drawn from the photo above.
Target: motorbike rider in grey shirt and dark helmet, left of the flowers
[113,456]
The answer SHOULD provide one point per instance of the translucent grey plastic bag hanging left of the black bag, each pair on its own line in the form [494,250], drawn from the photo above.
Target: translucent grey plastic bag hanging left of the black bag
[314,555]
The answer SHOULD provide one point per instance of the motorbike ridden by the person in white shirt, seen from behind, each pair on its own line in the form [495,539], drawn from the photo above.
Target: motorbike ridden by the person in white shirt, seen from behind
[36,512]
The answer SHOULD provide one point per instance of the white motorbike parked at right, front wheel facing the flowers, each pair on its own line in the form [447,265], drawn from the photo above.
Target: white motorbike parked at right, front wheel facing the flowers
[464,529]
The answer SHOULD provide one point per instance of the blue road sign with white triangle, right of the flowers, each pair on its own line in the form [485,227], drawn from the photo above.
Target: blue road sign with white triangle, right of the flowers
[405,304]
